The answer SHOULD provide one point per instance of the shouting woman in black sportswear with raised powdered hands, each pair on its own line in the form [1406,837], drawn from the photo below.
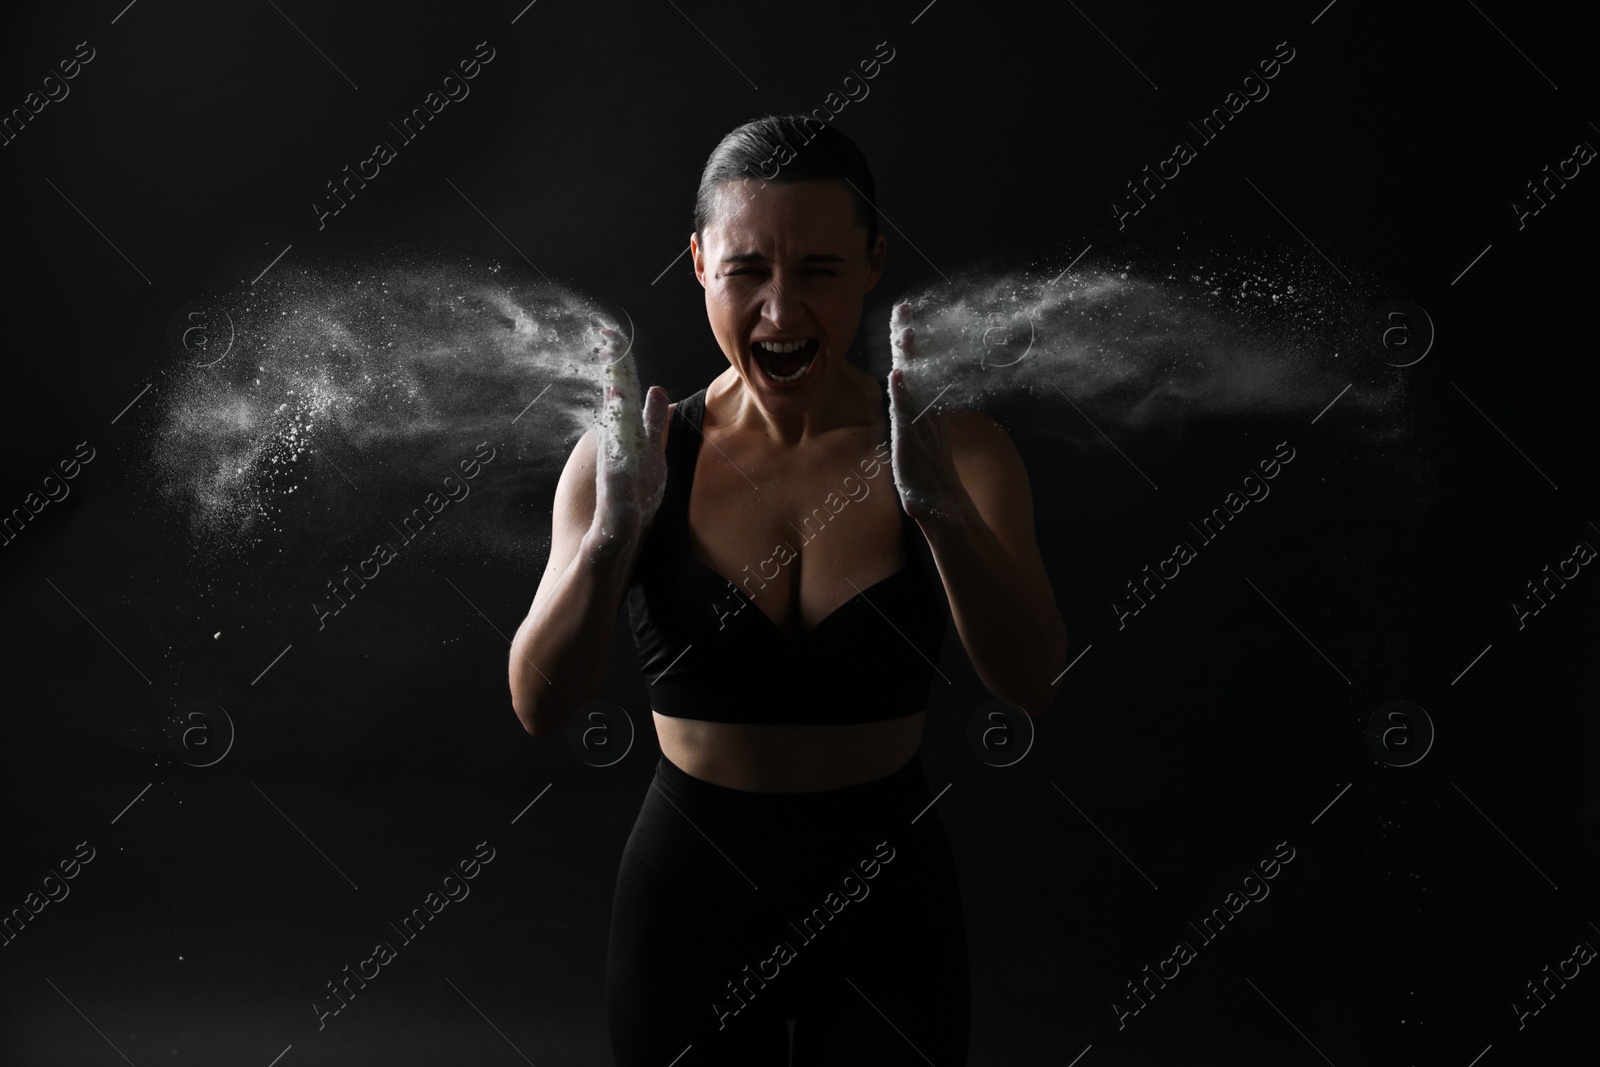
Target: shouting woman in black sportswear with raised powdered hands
[786,863]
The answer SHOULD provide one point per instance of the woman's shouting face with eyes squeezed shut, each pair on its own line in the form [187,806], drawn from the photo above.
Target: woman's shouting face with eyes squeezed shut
[785,263]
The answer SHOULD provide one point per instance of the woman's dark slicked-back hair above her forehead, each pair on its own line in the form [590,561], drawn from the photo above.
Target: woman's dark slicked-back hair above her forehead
[817,151]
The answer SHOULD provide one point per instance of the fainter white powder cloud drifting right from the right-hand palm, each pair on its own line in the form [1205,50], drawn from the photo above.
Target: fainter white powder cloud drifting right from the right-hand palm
[1223,335]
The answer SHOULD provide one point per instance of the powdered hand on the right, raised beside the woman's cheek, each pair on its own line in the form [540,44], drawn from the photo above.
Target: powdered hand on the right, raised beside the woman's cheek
[924,465]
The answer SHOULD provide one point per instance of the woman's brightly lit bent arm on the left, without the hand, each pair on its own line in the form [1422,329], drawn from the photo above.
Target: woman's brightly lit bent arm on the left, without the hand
[558,658]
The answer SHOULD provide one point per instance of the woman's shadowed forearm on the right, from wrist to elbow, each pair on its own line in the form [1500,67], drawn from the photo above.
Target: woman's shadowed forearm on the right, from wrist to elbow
[1009,625]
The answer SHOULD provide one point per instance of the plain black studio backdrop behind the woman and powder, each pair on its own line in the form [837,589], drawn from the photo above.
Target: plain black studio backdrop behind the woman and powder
[1196,740]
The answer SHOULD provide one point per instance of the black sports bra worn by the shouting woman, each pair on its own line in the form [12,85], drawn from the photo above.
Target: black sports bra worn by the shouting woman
[710,653]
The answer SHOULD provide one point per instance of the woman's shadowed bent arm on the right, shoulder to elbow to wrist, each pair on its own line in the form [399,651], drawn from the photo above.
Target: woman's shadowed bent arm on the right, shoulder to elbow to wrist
[985,545]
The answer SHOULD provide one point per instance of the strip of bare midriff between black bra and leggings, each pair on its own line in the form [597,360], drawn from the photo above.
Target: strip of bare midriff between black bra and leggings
[790,759]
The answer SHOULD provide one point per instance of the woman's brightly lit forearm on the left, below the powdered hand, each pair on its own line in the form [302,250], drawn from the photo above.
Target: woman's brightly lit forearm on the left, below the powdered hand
[559,653]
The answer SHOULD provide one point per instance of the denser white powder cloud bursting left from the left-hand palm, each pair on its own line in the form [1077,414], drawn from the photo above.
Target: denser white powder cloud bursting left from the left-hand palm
[351,391]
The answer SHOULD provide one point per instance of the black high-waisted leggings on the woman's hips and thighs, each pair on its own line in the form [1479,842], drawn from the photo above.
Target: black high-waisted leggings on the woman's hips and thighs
[738,911]
